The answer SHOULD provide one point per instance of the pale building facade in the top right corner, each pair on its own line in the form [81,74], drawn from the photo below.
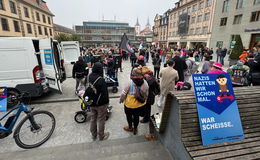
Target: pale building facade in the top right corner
[241,17]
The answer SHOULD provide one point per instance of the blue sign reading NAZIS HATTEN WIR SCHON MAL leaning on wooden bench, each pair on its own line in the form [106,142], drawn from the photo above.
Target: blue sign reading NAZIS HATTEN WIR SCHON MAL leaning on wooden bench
[217,108]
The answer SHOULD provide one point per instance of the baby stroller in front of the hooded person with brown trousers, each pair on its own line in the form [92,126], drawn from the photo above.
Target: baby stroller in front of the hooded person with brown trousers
[81,116]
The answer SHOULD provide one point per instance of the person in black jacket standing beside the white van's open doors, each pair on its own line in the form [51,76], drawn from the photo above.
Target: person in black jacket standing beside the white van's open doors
[79,71]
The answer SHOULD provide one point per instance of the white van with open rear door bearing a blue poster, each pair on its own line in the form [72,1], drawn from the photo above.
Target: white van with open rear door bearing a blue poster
[30,65]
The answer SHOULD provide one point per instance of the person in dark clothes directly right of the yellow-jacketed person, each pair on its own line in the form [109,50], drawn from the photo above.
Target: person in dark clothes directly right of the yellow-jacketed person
[154,89]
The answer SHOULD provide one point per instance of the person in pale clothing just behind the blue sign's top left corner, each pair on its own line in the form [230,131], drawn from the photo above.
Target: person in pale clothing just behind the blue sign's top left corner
[192,67]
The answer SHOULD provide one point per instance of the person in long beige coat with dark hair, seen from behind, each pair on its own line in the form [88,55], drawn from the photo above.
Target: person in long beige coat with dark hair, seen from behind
[168,77]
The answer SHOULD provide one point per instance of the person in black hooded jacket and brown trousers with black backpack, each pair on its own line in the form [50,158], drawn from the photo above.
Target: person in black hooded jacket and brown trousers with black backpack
[97,93]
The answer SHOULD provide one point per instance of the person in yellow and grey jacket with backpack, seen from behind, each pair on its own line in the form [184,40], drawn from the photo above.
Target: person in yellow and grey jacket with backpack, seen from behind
[134,97]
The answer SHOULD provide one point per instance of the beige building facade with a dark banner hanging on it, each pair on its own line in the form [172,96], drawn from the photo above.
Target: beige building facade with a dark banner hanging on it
[190,23]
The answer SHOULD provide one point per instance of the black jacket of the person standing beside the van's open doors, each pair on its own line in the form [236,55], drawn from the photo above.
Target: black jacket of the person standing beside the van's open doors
[79,70]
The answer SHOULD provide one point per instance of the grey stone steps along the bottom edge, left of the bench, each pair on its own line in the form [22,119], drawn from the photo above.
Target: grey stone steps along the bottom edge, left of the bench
[131,147]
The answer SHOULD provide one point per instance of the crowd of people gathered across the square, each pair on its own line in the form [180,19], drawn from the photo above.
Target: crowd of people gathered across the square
[171,67]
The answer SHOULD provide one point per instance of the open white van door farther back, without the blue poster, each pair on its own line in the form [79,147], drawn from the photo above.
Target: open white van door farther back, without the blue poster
[71,52]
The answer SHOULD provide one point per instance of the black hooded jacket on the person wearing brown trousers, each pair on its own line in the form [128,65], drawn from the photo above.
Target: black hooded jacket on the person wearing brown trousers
[100,85]
